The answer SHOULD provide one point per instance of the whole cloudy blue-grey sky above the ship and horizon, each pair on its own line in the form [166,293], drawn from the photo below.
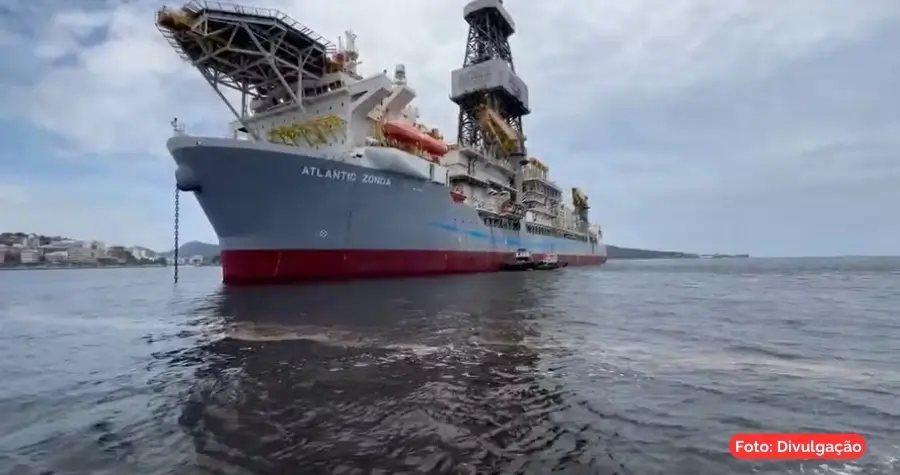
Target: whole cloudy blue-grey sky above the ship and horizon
[770,127]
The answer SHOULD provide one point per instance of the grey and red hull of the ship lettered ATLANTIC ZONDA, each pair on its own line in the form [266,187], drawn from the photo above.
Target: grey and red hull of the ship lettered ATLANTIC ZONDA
[282,216]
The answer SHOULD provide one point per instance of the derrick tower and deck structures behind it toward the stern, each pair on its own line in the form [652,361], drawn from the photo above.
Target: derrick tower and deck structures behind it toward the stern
[489,166]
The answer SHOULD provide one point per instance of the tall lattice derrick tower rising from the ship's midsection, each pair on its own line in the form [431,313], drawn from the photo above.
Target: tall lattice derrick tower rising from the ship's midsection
[492,99]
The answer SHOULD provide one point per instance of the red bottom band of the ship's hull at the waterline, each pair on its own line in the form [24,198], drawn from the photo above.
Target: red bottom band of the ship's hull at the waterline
[265,266]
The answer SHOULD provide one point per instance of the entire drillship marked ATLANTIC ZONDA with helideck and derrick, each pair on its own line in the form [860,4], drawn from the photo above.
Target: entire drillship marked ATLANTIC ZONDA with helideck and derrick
[329,175]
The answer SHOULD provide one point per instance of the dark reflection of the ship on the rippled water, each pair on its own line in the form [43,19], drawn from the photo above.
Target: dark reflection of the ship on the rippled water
[413,376]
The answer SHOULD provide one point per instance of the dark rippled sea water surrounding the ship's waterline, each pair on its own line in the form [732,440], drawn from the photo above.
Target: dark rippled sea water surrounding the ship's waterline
[641,368]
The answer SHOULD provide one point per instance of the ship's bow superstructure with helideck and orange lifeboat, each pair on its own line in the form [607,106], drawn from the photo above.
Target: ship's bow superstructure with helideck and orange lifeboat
[295,87]
